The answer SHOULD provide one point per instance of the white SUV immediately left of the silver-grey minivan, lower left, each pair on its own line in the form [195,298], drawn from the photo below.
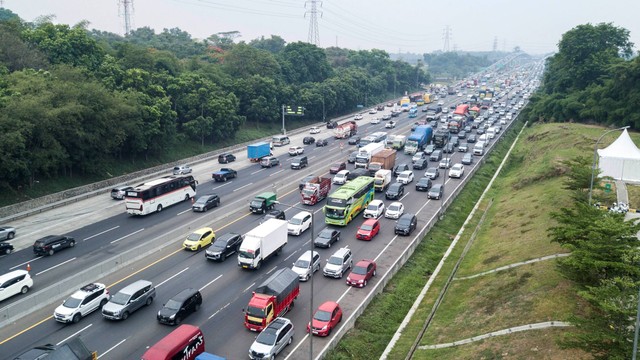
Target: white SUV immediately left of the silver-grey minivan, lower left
[89,298]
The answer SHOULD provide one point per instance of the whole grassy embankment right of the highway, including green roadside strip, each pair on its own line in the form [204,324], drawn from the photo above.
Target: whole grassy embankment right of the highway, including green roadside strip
[515,229]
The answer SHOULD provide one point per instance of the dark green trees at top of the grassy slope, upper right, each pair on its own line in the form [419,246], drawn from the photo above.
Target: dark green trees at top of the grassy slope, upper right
[591,79]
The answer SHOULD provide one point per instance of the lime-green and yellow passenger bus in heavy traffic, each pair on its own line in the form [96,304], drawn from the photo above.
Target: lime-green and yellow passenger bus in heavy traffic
[347,202]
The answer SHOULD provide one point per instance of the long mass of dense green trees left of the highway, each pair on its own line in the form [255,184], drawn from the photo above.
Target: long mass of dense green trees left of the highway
[72,100]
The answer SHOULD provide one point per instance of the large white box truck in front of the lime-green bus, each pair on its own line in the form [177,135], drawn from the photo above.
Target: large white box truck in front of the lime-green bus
[262,242]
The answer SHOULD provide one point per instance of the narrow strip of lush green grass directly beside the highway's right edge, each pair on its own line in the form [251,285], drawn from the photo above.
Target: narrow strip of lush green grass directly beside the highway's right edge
[375,328]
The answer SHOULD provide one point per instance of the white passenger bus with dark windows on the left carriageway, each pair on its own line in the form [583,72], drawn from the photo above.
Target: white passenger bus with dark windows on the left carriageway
[155,195]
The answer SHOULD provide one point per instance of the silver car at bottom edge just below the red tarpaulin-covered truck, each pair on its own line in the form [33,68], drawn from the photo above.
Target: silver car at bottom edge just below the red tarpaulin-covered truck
[273,339]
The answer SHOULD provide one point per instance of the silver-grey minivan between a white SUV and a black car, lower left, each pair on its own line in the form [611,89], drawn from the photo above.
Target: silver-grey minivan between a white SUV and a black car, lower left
[131,298]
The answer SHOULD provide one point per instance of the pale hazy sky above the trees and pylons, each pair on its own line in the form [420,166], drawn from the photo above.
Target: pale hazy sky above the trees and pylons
[392,25]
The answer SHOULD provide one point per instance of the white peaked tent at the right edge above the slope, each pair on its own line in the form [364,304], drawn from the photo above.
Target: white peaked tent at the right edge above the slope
[621,159]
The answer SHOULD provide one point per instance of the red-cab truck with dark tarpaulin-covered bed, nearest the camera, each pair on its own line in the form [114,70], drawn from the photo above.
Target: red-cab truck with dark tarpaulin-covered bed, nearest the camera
[272,299]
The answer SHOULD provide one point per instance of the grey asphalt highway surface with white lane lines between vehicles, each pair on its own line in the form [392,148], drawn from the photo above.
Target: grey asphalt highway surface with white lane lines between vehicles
[104,230]
